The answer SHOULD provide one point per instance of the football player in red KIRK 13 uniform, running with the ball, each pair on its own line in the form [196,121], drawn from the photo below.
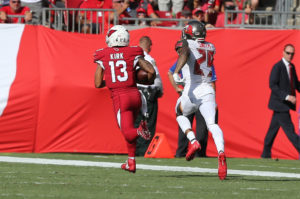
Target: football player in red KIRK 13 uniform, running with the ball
[118,63]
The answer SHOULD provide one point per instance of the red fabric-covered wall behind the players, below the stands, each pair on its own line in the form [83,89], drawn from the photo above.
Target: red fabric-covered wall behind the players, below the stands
[54,107]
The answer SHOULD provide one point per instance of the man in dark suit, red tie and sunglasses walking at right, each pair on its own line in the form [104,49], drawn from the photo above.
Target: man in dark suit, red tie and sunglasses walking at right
[283,83]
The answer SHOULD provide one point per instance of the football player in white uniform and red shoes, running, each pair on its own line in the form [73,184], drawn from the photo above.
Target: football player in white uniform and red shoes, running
[195,61]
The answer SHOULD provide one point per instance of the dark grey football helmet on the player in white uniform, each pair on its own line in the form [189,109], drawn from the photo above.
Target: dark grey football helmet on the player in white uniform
[194,30]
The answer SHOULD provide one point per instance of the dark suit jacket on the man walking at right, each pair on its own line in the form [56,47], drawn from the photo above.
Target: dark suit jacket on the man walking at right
[280,87]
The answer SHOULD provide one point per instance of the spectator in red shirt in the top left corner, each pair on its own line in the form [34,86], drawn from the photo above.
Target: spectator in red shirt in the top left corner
[15,8]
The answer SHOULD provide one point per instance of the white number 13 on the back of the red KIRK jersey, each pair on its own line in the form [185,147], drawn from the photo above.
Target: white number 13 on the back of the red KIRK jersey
[121,66]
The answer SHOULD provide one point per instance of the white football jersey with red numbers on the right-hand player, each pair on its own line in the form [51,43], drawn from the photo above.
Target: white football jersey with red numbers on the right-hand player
[198,68]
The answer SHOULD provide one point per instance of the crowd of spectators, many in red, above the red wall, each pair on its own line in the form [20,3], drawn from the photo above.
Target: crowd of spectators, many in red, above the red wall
[210,12]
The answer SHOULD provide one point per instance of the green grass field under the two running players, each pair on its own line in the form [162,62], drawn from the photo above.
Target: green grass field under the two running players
[25,180]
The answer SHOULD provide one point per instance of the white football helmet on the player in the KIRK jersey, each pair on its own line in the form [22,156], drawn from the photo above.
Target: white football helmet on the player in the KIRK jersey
[117,36]
